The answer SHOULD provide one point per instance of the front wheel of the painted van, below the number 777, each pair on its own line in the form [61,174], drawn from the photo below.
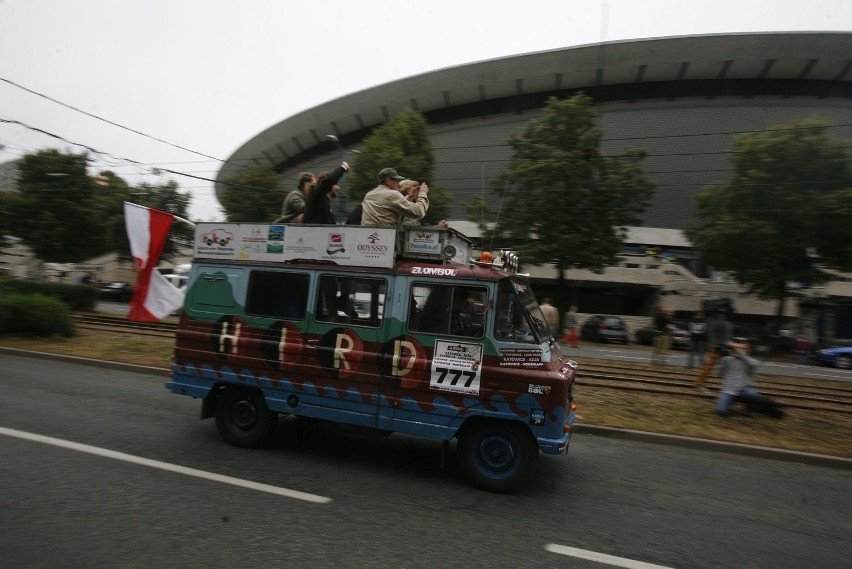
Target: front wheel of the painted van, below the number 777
[497,456]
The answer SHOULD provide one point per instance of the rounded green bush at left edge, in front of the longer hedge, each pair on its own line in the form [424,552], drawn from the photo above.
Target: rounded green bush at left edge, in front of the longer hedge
[34,315]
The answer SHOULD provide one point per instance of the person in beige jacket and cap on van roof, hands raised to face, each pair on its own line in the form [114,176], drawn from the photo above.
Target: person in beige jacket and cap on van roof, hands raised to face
[385,205]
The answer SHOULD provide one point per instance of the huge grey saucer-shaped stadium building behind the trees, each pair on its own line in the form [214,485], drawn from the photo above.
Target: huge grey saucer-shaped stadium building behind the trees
[683,99]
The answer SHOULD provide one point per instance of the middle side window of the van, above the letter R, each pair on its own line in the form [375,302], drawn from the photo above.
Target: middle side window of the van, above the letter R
[351,300]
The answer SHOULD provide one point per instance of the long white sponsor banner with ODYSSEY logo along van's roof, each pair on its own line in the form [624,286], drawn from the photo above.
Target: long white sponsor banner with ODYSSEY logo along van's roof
[343,244]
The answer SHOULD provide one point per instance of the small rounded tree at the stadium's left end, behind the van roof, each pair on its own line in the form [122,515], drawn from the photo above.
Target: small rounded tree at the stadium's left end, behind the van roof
[255,194]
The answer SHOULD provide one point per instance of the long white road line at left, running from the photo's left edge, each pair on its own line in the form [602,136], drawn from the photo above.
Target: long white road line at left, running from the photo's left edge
[248,484]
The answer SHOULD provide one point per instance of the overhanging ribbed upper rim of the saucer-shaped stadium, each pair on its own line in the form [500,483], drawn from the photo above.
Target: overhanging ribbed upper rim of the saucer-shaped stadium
[794,64]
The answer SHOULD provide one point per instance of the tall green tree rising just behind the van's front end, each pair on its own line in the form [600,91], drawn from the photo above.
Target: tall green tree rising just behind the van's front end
[559,199]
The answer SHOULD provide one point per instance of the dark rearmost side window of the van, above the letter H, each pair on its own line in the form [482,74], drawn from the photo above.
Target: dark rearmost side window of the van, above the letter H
[278,294]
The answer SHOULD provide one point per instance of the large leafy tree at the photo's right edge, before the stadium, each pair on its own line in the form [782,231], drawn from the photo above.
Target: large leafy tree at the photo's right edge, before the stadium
[785,214]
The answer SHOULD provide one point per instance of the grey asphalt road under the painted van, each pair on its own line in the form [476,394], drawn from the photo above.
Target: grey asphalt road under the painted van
[105,468]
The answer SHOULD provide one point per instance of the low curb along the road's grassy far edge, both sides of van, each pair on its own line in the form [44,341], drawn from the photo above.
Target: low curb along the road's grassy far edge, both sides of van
[579,429]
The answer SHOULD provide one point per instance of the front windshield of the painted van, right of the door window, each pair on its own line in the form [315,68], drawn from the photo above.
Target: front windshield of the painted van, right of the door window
[519,318]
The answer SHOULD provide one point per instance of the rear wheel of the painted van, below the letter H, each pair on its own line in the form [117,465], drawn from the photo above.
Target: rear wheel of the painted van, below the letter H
[243,419]
